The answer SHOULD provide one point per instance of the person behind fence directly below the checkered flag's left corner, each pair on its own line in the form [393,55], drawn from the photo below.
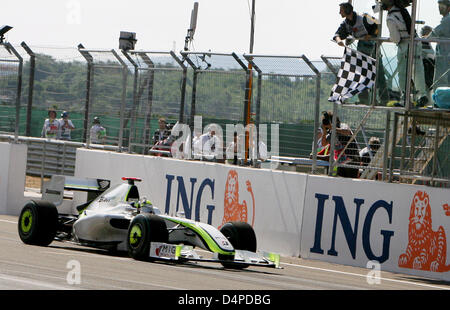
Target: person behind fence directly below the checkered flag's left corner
[351,153]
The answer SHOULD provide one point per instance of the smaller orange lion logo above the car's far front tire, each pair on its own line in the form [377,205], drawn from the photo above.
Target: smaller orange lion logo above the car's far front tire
[233,210]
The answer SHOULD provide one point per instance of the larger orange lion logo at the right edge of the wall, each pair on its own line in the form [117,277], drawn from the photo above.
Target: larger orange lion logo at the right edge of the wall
[427,249]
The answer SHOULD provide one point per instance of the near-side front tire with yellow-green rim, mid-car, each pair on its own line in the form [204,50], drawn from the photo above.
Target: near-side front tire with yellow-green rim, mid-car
[145,228]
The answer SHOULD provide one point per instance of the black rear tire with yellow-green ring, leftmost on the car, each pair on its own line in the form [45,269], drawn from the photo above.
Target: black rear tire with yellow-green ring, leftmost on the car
[38,222]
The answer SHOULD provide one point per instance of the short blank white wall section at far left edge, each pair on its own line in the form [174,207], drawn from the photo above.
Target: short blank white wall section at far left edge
[13,159]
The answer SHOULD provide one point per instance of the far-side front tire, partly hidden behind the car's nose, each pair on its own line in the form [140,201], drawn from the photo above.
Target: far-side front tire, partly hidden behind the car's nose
[242,237]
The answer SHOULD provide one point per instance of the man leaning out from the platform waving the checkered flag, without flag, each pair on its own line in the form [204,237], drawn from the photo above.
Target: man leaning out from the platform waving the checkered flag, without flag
[362,27]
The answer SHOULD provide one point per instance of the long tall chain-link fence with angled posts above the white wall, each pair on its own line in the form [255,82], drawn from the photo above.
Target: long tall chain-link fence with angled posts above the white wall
[130,91]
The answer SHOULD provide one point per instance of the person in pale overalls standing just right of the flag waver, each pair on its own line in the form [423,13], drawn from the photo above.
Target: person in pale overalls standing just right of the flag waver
[399,24]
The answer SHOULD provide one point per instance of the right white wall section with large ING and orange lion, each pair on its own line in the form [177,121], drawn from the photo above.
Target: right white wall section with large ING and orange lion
[405,228]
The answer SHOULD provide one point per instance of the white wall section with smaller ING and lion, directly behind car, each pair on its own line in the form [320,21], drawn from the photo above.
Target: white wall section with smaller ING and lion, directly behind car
[213,193]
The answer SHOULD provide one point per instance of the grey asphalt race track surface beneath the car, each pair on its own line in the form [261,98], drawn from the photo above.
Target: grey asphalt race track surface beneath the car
[24,267]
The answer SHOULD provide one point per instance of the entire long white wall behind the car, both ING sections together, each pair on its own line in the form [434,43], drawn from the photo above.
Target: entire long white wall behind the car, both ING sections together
[406,228]
